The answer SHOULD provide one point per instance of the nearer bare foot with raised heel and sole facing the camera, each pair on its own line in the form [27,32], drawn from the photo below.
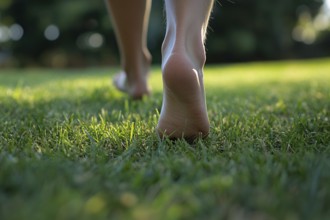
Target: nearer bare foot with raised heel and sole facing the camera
[183,113]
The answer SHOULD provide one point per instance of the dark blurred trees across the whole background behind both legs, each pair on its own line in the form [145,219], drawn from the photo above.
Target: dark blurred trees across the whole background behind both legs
[78,33]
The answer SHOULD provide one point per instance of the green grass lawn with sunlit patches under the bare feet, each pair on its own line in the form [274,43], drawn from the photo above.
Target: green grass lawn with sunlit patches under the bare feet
[72,147]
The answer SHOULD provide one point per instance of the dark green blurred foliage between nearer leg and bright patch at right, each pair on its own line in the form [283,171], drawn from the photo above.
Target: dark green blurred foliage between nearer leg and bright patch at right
[256,29]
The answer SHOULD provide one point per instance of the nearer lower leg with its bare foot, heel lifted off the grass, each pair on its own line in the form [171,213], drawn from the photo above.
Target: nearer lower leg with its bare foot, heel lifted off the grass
[184,112]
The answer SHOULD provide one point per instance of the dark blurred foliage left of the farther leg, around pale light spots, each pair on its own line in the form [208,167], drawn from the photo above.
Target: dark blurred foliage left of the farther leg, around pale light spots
[73,18]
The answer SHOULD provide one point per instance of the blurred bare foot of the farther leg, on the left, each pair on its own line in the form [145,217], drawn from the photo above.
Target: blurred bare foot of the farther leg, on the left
[136,89]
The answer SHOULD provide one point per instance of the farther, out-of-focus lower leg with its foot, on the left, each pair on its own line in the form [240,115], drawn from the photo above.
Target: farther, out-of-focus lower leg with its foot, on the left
[130,19]
